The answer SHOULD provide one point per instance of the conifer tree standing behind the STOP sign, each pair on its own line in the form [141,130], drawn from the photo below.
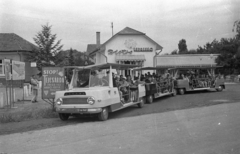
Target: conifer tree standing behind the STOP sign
[48,48]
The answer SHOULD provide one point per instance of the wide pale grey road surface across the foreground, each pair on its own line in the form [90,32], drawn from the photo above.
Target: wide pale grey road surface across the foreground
[206,130]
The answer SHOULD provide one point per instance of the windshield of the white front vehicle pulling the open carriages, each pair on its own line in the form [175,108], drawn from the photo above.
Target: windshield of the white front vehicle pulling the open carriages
[90,78]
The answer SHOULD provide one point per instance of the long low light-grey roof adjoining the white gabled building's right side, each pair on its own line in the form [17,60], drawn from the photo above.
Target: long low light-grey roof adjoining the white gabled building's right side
[188,60]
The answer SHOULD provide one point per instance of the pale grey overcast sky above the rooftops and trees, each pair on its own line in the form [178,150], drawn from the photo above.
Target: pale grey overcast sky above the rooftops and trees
[165,21]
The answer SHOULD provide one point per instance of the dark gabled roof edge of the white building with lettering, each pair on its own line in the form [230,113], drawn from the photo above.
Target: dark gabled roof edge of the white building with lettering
[125,31]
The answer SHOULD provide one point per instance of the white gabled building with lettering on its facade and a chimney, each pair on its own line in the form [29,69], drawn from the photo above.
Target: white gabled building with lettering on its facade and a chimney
[128,46]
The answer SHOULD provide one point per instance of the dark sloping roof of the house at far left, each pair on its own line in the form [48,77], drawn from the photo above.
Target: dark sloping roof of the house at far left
[13,42]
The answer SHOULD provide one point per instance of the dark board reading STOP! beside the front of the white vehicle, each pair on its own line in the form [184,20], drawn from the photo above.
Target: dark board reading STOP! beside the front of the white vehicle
[53,80]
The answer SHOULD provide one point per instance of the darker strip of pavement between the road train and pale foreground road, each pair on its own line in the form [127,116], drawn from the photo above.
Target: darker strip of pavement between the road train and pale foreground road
[161,105]
